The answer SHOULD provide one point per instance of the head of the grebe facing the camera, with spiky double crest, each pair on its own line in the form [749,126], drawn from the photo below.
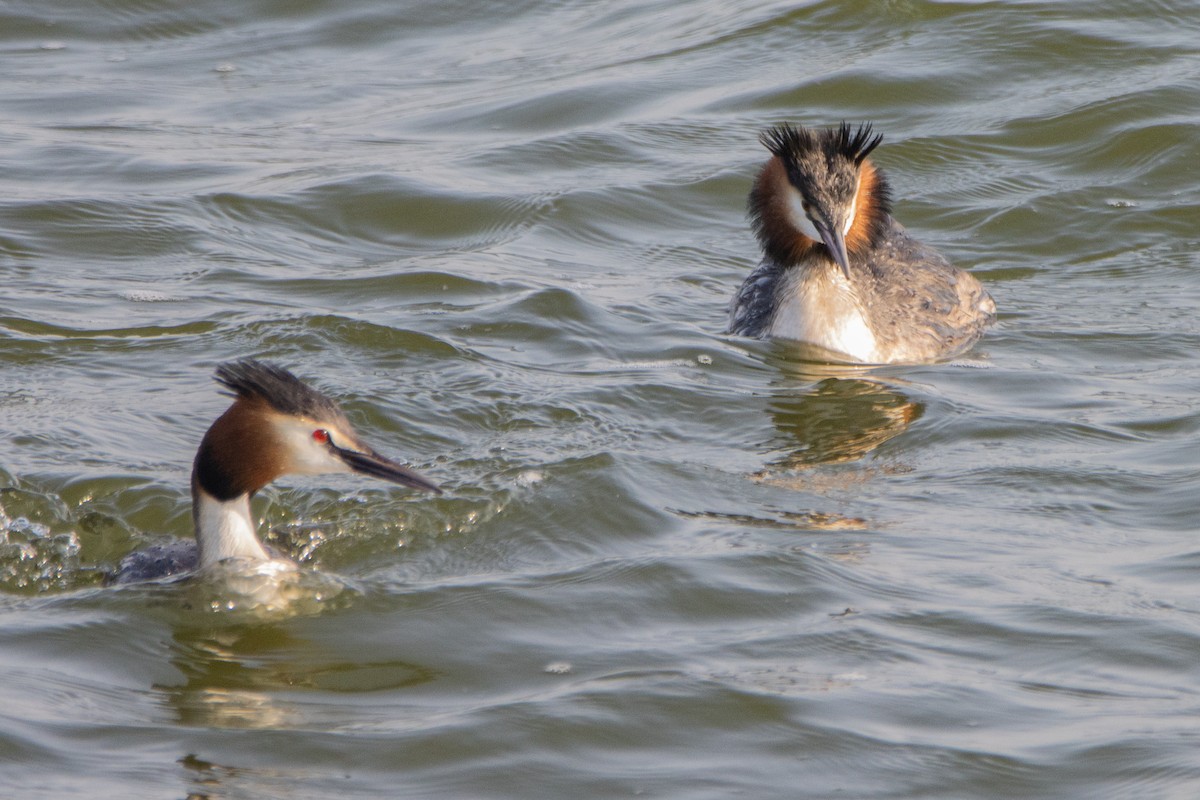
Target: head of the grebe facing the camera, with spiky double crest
[819,189]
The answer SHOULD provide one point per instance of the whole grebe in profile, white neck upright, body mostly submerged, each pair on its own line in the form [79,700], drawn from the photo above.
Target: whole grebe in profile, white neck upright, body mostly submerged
[277,426]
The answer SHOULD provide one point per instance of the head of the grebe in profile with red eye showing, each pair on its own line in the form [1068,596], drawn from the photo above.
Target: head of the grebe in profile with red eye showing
[281,426]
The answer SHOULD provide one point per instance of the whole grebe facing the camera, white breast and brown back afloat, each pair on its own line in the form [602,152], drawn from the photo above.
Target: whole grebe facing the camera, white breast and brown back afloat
[838,272]
